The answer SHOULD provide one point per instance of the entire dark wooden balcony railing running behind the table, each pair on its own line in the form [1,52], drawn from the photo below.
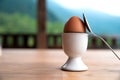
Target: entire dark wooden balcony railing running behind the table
[53,41]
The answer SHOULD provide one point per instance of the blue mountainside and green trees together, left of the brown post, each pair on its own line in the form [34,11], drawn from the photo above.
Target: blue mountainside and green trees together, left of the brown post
[18,16]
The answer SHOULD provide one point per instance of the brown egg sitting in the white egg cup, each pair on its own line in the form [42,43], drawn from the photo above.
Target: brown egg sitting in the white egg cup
[73,25]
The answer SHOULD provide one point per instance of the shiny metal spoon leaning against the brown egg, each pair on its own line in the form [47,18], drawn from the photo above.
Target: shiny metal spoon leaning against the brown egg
[90,30]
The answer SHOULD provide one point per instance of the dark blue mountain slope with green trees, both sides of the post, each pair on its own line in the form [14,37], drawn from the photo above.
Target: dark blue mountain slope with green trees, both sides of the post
[19,16]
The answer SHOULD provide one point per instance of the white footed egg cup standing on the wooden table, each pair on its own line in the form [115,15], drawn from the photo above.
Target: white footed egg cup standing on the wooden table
[74,45]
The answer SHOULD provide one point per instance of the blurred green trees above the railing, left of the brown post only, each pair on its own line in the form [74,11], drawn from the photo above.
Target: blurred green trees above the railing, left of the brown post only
[17,23]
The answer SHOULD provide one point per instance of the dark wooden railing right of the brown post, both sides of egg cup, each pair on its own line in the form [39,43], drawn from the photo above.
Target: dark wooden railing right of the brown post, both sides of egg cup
[54,41]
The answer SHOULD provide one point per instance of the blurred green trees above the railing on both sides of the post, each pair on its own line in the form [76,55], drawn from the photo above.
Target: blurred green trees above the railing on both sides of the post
[23,23]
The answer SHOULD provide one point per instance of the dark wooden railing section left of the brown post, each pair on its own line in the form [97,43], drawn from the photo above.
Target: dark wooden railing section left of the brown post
[18,40]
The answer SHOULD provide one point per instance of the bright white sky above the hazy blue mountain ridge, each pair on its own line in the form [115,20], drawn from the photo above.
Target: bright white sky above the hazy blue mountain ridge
[111,7]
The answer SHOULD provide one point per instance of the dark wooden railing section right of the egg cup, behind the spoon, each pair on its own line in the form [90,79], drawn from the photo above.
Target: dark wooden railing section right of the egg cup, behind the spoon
[95,42]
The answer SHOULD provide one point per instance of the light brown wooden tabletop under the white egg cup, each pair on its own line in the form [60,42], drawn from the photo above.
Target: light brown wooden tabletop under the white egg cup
[44,64]
